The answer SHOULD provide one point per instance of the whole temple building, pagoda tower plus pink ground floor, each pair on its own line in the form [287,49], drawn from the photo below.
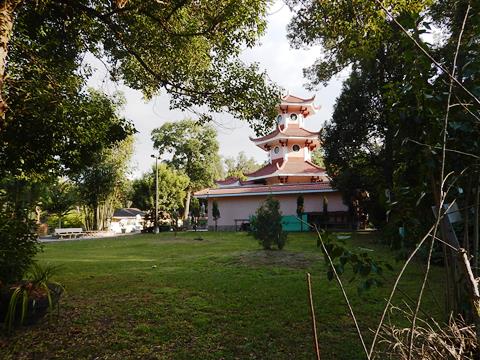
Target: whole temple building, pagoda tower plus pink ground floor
[289,173]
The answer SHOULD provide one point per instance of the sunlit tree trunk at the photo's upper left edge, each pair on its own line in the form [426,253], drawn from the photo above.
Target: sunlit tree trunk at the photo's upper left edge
[7,14]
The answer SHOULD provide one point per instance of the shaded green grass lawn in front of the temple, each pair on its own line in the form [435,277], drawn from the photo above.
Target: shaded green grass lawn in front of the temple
[167,297]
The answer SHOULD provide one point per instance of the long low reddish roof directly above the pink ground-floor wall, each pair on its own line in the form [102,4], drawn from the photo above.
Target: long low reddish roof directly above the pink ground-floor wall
[254,190]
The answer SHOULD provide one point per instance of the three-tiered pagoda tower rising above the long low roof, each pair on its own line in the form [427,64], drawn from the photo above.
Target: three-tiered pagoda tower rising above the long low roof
[290,146]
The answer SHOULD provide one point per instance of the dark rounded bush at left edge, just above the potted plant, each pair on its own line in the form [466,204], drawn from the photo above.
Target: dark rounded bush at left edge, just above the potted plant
[18,243]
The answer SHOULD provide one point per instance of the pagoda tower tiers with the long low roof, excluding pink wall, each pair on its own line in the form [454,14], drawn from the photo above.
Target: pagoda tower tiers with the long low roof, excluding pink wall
[289,147]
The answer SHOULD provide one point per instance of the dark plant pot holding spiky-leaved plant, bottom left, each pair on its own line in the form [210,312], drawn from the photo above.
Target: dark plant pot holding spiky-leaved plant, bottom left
[37,308]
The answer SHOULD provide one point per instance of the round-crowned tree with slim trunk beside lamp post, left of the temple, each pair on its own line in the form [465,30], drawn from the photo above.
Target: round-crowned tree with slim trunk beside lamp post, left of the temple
[194,150]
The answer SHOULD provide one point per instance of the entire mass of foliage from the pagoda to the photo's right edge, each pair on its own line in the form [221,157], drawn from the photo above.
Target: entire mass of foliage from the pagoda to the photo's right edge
[382,143]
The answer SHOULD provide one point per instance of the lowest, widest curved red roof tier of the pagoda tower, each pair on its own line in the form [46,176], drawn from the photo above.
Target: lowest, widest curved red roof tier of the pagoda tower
[297,167]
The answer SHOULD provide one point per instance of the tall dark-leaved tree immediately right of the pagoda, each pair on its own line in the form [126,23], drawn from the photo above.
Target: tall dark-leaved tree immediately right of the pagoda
[364,142]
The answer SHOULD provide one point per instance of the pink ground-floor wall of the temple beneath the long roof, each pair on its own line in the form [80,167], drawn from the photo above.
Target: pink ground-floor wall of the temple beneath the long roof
[242,207]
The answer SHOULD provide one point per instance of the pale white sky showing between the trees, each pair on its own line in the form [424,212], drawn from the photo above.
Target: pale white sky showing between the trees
[283,64]
